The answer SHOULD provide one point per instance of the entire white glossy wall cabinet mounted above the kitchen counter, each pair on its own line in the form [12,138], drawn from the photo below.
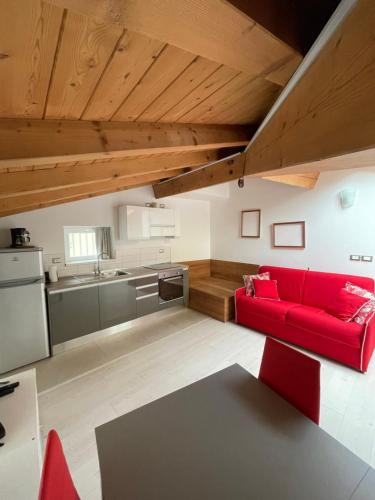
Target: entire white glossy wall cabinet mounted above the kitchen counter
[143,223]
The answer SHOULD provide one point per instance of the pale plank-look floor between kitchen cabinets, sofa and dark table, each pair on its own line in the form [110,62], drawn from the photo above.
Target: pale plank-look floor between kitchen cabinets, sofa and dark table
[117,374]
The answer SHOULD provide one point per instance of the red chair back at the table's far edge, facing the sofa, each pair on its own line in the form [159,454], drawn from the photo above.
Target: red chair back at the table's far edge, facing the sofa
[293,375]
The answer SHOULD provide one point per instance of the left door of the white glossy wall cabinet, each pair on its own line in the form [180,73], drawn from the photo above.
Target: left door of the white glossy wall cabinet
[134,223]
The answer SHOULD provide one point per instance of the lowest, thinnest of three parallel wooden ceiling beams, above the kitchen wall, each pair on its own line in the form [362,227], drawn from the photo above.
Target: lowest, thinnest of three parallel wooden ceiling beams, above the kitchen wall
[24,203]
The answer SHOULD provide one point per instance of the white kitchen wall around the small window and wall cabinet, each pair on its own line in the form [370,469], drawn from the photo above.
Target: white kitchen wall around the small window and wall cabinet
[46,225]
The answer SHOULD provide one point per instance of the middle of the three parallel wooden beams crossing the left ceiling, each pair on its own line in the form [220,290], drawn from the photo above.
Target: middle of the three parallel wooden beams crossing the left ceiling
[72,174]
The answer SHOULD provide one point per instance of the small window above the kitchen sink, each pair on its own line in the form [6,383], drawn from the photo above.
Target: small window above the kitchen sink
[84,243]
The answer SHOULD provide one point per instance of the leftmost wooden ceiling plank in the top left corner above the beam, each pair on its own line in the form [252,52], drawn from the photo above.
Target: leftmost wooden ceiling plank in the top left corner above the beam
[29,32]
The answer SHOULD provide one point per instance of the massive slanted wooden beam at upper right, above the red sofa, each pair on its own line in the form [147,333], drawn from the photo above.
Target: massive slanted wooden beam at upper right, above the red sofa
[326,120]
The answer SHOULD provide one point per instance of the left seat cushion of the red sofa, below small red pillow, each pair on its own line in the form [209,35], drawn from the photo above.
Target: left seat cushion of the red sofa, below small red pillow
[273,309]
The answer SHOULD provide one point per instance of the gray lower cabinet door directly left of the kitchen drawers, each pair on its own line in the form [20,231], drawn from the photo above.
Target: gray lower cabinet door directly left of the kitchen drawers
[117,303]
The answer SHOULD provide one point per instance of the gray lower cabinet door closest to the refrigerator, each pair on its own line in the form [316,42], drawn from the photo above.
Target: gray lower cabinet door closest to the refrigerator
[73,314]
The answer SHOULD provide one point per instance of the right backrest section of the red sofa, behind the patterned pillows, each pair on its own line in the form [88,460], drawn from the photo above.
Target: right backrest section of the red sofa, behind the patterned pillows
[321,288]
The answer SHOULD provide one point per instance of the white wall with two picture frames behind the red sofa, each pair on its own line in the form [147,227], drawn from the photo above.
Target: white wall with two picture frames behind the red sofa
[332,233]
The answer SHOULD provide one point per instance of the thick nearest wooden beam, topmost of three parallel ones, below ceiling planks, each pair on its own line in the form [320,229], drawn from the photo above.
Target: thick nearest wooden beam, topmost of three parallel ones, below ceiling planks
[42,142]
